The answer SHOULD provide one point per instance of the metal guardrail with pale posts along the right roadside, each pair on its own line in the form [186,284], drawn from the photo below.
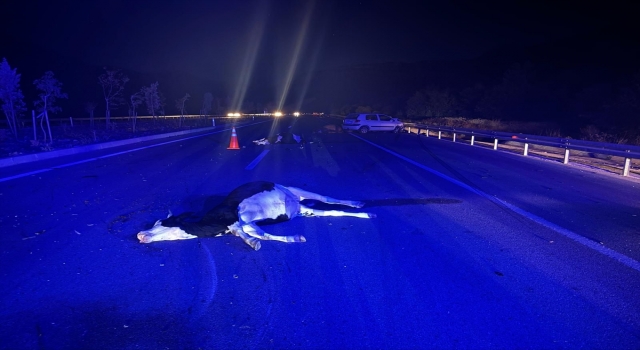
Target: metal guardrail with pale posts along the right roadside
[627,152]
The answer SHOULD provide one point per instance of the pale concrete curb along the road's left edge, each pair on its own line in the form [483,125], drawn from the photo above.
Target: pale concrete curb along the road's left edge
[5,162]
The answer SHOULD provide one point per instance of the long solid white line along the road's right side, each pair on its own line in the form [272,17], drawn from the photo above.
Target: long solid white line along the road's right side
[625,260]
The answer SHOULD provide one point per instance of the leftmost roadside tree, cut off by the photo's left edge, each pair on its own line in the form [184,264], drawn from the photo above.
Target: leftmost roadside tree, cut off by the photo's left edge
[11,96]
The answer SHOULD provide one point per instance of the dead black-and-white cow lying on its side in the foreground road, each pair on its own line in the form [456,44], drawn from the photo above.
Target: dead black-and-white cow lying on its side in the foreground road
[239,213]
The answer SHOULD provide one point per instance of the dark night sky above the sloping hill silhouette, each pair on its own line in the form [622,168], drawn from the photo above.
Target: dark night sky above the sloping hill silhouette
[219,42]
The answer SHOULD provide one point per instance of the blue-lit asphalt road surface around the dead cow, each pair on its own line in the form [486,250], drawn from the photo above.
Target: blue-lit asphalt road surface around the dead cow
[471,248]
